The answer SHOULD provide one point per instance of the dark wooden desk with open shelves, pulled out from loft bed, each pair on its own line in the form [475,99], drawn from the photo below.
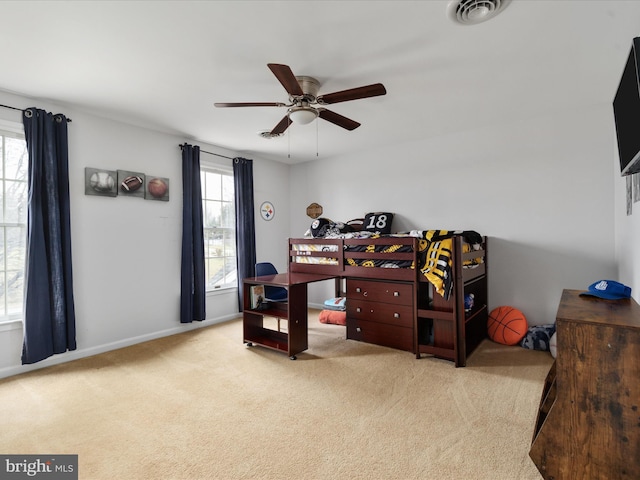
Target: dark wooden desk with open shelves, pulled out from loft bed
[294,310]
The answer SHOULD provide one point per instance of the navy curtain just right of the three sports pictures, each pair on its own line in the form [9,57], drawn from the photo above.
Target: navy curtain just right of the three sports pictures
[192,283]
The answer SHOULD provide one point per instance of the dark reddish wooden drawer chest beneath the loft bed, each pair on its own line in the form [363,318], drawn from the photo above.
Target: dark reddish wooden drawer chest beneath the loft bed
[381,312]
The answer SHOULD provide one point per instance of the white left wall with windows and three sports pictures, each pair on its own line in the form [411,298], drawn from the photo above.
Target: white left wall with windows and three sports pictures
[126,251]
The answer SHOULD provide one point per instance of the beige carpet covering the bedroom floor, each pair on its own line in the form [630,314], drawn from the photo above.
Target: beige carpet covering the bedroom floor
[201,405]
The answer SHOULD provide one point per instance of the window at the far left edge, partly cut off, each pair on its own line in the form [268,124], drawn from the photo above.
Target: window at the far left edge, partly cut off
[13,223]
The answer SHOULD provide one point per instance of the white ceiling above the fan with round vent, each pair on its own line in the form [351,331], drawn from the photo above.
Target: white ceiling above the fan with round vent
[163,64]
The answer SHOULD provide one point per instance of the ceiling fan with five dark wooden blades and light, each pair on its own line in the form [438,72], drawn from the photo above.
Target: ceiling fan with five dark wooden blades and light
[305,105]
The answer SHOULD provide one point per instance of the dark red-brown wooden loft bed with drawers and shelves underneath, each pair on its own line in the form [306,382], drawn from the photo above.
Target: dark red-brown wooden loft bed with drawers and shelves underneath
[393,303]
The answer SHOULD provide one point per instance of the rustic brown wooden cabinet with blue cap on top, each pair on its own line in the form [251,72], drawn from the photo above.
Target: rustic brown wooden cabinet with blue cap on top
[588,423]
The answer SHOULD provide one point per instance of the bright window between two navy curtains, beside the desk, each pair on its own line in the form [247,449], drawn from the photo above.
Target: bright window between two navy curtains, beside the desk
[219,228]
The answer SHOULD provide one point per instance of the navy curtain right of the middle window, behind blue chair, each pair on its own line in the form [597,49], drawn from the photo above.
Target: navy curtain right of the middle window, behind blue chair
[245,222]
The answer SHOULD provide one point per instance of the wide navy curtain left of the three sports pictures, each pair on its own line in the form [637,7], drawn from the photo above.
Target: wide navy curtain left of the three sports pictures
[49,311]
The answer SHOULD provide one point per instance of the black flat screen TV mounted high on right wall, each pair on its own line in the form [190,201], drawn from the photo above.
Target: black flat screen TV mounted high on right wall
[626,112]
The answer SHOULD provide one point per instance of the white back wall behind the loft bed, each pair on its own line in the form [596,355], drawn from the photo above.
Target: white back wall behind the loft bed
[541,189]
